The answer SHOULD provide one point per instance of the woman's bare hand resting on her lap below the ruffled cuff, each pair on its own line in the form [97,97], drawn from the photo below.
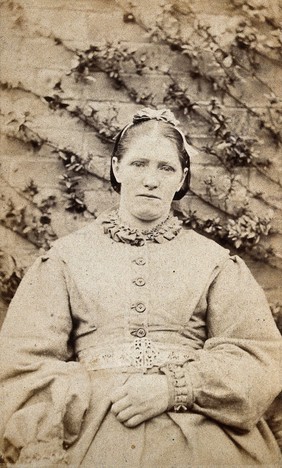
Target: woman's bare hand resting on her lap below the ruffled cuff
[140,398]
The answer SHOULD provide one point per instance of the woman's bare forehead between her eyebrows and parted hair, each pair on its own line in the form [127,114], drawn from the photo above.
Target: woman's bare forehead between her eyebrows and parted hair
[152,147]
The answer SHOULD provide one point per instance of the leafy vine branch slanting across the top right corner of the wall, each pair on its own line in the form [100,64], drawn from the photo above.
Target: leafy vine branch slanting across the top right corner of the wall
[219,66]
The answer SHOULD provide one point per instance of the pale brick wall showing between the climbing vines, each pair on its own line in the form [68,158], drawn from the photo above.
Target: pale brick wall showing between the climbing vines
[34,61]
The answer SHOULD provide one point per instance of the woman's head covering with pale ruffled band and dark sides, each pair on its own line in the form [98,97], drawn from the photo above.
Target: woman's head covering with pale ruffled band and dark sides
[162,115]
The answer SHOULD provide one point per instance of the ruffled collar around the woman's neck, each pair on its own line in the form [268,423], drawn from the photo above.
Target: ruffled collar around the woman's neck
[120,232]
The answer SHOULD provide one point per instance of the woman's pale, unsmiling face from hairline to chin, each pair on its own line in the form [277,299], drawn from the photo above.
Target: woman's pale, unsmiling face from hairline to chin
[150,173]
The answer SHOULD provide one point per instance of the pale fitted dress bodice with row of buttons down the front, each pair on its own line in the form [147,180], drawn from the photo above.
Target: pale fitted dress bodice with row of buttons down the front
[147,300]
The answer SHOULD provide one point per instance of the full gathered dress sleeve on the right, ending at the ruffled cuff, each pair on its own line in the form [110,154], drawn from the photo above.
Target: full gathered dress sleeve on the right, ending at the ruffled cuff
[236,376]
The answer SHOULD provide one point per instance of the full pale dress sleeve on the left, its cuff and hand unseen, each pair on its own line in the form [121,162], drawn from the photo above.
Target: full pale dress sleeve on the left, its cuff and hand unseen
[44,395]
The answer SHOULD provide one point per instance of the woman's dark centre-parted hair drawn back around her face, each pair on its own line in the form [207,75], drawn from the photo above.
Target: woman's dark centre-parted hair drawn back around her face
[166,130]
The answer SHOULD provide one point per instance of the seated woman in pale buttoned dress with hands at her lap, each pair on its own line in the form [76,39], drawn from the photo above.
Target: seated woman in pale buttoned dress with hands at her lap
[134,342]
